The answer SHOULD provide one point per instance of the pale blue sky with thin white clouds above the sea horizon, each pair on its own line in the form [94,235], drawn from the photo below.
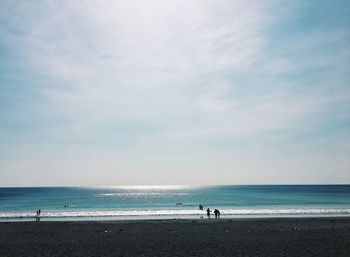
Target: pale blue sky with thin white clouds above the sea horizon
[174,92]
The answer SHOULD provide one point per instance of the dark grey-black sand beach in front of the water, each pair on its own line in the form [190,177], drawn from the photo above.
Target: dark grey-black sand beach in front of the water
[225,237]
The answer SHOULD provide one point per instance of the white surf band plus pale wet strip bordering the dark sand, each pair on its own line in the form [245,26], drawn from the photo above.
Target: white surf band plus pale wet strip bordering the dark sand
[185,213]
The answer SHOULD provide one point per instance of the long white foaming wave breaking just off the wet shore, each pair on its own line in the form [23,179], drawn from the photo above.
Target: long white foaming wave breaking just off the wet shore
[176,213]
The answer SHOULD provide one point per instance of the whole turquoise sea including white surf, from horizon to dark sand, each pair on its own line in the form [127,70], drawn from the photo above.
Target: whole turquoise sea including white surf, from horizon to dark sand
[149,202]
